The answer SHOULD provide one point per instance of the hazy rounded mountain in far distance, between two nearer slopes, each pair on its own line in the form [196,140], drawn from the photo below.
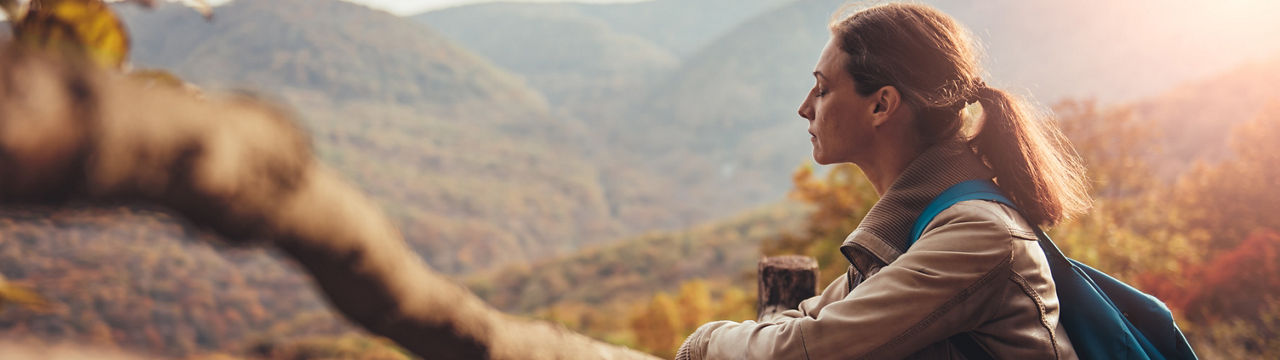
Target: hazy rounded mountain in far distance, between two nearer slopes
[572,57]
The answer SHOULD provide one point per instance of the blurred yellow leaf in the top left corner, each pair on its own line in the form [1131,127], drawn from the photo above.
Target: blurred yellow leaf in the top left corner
[88,28]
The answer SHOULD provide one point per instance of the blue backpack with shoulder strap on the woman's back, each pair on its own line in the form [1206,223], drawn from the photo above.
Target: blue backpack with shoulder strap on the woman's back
[1104,317]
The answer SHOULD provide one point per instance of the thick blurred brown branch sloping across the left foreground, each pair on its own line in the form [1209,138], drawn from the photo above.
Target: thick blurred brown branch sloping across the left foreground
[245,170]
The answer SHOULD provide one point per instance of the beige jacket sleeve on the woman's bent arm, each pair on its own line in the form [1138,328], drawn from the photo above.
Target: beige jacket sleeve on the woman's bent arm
[929,294]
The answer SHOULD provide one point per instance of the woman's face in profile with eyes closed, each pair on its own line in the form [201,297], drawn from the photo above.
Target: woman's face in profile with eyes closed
[840,120]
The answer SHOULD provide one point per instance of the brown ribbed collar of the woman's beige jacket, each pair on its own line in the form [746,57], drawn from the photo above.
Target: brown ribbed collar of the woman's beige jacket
[881,238]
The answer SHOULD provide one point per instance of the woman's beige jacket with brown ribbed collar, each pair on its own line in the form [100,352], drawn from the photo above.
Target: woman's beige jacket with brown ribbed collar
[977,268]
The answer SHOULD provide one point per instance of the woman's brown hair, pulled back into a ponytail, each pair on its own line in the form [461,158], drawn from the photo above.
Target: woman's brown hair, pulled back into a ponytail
[934,63]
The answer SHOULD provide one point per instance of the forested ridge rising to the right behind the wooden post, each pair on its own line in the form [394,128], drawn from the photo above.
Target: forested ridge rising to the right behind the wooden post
[724,250]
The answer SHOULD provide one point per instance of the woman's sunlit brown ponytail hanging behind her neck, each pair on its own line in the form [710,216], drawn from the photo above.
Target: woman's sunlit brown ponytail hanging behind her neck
[1035,165]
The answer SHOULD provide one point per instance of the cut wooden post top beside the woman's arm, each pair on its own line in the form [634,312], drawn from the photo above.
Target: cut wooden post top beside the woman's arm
[784,282]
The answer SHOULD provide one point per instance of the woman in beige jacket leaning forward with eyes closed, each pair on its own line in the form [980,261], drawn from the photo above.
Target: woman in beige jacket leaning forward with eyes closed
[892,86]
